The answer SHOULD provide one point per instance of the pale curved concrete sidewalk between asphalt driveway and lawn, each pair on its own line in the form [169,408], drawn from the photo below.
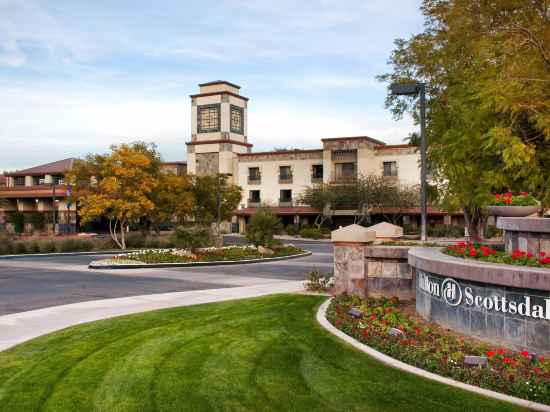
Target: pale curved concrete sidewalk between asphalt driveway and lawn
[20,327]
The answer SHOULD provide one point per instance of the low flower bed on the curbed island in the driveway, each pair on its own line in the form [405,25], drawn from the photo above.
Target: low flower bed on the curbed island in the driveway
[228,253]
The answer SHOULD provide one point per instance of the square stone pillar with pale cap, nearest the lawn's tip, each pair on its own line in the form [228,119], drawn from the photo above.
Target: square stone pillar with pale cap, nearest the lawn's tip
[349,259]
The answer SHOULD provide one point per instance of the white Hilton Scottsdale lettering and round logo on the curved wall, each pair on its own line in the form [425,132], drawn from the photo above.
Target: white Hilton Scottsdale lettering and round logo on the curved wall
[453,294]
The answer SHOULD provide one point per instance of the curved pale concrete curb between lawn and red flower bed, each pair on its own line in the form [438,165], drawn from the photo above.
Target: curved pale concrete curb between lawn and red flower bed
[394,363]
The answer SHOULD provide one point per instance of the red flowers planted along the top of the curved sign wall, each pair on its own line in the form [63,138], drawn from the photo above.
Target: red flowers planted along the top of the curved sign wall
[487,254]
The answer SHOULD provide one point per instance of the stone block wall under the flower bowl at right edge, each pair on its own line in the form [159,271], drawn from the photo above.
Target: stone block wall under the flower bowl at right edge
[524,233]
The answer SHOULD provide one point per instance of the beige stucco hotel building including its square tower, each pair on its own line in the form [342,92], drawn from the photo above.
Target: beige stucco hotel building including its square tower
[219,144]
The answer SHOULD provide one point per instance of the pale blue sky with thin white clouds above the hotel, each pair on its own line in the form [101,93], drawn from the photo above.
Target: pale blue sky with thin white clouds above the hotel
[77,76]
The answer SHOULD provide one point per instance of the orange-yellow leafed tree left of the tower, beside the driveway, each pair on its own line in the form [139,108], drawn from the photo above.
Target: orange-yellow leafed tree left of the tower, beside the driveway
[119,186]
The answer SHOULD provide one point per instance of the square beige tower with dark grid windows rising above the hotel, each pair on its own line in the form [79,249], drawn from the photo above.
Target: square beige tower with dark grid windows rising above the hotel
[218,129]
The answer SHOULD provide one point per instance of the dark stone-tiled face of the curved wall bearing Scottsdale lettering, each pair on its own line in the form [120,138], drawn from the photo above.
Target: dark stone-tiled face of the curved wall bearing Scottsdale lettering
[515,317]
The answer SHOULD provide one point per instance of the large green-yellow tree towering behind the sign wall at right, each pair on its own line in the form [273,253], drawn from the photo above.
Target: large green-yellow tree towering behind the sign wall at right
[486,66]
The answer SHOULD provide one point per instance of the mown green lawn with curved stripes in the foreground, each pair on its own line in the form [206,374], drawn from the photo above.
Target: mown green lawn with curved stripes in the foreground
[251,355]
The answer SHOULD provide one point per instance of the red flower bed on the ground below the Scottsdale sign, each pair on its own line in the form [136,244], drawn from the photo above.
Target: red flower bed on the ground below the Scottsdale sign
[385,325]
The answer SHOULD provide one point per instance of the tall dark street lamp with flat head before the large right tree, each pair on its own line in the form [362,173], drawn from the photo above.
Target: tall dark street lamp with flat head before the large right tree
[413,89]
